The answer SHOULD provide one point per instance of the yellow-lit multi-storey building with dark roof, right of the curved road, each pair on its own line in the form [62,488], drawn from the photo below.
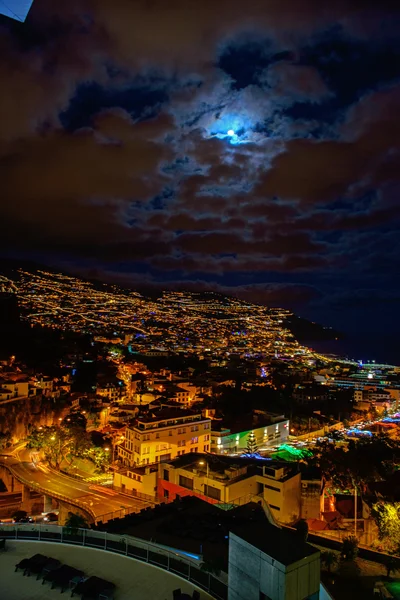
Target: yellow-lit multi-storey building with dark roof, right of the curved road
[163,435]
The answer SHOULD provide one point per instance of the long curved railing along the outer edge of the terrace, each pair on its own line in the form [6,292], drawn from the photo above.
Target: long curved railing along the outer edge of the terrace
[179,563]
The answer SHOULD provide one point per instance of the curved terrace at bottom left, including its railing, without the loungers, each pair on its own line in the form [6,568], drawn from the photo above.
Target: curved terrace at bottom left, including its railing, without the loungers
[140,578]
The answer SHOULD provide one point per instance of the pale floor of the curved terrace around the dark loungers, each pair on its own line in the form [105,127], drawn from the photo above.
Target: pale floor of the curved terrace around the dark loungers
[133,579]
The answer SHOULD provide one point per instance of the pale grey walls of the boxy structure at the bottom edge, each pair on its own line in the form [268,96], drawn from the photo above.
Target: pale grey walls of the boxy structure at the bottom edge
[252,572]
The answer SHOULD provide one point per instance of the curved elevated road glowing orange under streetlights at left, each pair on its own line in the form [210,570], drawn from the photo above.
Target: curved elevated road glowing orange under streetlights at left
[98,500]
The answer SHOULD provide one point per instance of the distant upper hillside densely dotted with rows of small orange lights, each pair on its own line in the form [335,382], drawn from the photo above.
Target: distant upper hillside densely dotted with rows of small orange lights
[177,322]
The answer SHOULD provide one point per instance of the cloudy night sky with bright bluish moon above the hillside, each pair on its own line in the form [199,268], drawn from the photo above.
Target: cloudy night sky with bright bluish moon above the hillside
[246,147]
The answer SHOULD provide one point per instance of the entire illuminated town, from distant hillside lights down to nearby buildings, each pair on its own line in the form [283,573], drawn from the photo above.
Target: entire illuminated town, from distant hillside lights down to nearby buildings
[133,403]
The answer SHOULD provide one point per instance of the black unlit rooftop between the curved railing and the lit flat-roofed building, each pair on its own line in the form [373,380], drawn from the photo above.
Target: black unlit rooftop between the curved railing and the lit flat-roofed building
[196,526]
